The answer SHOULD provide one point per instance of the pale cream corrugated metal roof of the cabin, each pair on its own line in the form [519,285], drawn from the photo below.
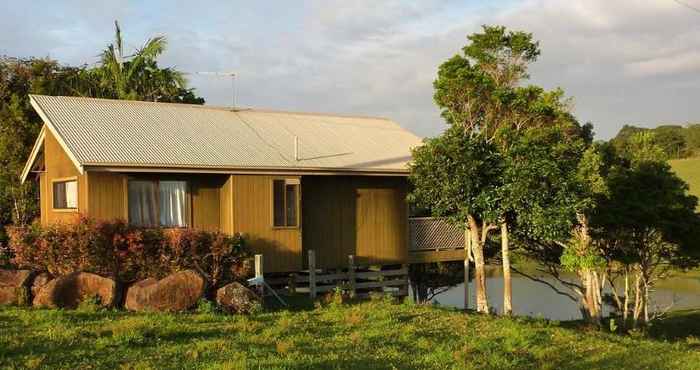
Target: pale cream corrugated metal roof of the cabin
[128,133]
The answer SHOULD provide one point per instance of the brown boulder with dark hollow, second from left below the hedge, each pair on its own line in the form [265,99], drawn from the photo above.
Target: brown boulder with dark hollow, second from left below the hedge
[69,290]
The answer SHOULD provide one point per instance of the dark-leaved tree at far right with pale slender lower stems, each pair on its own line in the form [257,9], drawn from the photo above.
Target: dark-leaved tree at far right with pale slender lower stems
[647,225]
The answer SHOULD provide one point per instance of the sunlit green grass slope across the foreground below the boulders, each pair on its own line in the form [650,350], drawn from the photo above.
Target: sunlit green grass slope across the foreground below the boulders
[374,334]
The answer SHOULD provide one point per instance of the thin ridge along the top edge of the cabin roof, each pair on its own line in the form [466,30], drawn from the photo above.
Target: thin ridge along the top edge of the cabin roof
[216,107]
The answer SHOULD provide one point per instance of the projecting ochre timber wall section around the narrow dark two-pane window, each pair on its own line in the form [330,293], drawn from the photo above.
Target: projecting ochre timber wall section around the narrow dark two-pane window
[252,217]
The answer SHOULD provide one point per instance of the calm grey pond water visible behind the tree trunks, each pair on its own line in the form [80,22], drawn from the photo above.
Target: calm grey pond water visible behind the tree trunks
[530,298]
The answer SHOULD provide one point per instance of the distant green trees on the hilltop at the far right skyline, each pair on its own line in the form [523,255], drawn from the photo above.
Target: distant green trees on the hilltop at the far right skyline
[677,141]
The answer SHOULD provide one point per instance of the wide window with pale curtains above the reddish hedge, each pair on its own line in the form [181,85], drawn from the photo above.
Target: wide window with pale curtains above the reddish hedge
[158,203]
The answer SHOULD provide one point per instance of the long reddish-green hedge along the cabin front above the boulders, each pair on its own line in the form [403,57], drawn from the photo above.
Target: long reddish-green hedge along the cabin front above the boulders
[127,253]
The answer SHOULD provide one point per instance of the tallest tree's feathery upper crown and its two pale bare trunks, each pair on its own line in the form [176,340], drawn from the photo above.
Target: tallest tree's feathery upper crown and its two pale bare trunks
[479,93]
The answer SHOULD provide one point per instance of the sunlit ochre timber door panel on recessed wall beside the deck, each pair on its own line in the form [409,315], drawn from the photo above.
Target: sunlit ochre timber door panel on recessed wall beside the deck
[382,221]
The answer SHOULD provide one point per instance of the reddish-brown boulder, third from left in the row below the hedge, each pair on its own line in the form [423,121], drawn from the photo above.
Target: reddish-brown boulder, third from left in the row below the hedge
[176,292]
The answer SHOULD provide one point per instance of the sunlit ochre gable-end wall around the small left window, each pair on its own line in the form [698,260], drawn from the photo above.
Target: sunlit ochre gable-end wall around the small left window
[59,166]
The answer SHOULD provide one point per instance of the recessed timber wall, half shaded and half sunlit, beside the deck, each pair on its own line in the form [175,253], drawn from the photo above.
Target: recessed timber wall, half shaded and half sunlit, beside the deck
[363,216]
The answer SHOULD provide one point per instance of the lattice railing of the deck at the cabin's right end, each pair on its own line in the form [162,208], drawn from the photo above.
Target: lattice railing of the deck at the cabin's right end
[430,233]
